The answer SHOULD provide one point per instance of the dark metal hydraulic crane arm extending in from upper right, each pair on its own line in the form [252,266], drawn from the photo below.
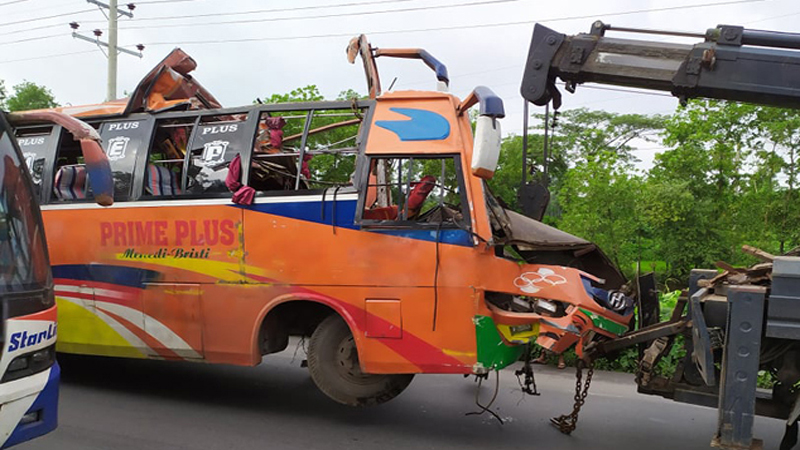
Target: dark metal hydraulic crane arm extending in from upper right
[731,63]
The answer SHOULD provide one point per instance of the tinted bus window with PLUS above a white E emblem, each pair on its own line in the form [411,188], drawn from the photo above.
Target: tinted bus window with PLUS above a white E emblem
[122,140]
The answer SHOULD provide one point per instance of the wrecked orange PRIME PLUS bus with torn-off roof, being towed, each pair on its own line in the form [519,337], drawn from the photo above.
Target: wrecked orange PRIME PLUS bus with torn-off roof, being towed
[365,225]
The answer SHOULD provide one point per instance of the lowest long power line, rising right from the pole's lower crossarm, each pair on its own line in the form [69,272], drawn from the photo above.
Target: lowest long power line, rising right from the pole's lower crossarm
[456,27]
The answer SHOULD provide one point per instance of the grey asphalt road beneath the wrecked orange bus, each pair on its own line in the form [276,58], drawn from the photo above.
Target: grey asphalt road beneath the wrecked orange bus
[127,404]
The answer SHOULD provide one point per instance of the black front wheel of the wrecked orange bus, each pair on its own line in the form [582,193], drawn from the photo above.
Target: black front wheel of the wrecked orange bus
[334,367]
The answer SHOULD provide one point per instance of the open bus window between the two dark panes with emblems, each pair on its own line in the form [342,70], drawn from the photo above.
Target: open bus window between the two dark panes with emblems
[164,168]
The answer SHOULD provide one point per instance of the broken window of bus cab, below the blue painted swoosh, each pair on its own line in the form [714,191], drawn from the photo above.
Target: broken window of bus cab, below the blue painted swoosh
[415,191]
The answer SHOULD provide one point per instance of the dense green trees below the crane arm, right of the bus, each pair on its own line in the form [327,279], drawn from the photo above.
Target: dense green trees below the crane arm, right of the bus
[726,176]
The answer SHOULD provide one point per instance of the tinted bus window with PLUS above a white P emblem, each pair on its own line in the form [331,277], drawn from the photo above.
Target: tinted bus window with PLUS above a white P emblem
[214,144]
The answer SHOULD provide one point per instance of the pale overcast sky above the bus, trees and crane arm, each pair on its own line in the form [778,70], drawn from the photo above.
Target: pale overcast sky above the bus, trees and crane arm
[294,44]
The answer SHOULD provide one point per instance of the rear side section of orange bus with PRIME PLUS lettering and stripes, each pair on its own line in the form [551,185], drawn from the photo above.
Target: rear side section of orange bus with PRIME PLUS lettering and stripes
[141,271]
